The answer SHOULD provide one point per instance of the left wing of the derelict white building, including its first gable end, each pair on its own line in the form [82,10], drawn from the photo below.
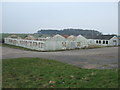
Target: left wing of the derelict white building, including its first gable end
[57,42]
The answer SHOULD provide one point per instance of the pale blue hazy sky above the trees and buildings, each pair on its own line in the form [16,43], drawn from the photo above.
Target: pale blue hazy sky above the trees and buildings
[29,17]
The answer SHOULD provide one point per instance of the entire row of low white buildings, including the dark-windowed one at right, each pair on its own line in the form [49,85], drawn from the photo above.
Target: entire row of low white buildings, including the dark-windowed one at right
[59,42]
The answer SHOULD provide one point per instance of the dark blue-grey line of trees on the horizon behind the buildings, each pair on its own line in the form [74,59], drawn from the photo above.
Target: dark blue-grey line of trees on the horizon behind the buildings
[75,32]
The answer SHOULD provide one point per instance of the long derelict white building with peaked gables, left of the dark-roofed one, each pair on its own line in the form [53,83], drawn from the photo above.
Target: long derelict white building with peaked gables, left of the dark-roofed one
[56,42]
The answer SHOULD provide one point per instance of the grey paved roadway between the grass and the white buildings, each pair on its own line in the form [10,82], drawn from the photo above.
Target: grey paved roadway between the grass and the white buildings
[101,58]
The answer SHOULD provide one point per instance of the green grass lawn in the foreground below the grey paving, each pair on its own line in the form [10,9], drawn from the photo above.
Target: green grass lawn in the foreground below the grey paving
[42,73]
